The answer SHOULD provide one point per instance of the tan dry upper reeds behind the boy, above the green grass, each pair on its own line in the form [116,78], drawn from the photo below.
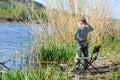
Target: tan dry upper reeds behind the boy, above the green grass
[63,15]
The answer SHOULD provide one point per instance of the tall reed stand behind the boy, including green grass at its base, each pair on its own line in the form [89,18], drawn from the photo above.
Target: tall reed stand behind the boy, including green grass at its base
[59,44]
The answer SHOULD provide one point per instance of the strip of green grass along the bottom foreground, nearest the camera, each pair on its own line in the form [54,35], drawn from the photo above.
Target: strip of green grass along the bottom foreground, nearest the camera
[48,73]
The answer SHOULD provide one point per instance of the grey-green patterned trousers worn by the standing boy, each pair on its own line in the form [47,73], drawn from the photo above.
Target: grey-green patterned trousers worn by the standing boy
[81,50]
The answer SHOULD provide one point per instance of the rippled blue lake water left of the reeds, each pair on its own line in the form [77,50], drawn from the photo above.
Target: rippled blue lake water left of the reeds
[14,42]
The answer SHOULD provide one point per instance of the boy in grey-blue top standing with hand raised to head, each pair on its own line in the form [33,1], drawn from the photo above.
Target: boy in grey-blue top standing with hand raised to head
[80,36]
